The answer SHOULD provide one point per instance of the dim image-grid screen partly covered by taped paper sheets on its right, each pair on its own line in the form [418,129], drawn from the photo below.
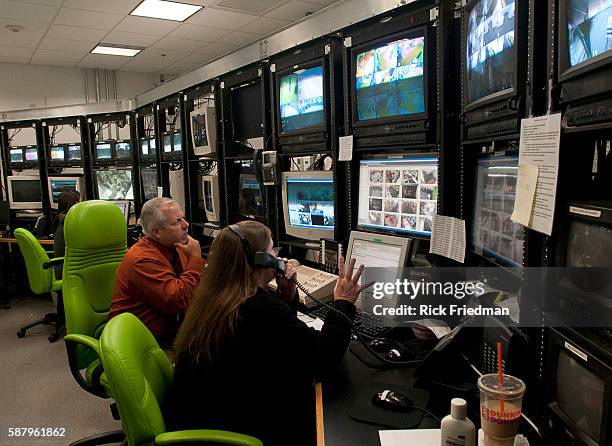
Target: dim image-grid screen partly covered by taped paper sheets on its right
[494,232]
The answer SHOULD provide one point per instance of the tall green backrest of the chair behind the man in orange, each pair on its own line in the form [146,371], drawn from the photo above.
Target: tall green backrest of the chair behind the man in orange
[95,233]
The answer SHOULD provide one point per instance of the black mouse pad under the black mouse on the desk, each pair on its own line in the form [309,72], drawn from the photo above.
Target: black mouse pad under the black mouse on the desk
[362,408]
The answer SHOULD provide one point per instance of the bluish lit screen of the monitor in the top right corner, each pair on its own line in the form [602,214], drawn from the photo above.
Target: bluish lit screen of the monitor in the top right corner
[589,26]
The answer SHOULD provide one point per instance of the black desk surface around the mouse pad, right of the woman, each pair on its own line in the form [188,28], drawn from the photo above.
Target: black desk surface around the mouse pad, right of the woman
[339,392]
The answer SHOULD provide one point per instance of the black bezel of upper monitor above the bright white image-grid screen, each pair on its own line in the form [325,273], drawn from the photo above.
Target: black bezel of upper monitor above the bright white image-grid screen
[377,43]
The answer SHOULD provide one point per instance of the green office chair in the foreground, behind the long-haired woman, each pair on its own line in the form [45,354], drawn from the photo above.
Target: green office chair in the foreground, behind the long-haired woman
[139,372]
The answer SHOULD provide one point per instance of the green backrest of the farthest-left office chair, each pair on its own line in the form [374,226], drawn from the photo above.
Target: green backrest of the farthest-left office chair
[41,280]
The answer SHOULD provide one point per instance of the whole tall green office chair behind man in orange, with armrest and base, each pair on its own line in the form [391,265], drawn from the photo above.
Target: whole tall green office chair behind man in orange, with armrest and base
[96,241]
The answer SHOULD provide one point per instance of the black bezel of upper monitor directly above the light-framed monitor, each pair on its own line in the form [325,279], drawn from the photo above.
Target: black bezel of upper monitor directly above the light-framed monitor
[312,63]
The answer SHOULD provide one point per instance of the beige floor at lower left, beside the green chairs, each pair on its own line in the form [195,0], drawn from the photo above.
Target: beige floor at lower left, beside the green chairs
[36,387]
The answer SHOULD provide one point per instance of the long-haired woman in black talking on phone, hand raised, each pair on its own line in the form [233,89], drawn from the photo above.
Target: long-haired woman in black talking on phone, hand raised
[242,348]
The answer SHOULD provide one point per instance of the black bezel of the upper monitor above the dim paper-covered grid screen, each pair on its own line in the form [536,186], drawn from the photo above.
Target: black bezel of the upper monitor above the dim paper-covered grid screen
[518,87]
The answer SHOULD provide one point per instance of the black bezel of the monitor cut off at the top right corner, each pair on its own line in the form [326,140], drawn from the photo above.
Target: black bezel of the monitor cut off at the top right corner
[565,71]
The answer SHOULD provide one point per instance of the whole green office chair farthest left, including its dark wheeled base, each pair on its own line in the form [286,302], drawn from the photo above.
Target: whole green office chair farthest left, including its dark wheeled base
[41,278]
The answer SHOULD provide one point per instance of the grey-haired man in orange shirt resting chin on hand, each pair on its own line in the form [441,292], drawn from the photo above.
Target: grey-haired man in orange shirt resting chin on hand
[157,276]
